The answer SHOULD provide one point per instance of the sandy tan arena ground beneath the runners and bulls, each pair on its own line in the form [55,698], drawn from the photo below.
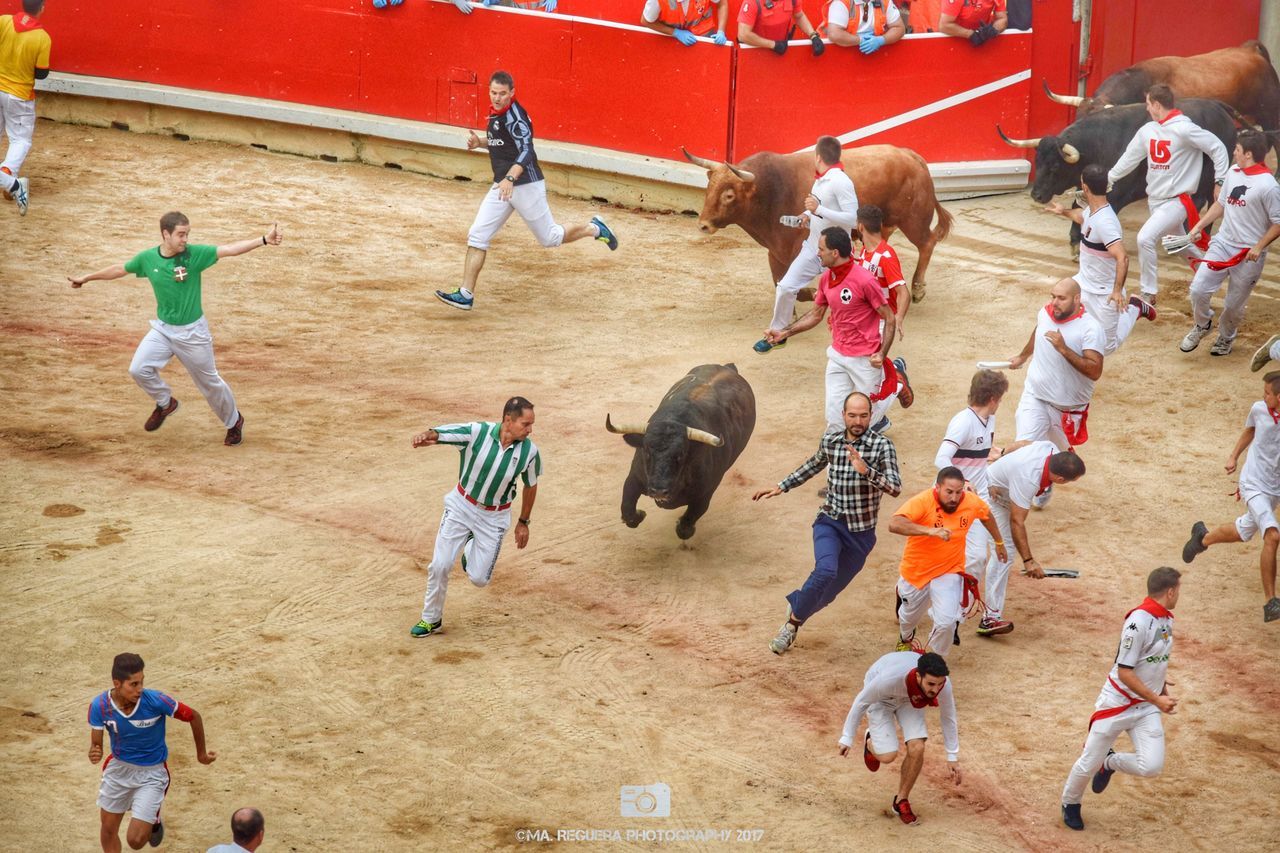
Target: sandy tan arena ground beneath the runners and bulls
[272,586]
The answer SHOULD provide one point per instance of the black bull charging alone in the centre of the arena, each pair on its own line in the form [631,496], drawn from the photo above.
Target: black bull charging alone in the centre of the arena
[688,445]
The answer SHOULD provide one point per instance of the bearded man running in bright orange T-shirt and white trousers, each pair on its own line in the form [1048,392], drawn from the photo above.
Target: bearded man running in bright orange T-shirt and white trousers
[936,523]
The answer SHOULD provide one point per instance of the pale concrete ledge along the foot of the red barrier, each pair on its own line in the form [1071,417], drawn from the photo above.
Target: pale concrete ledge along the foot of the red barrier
[438,150]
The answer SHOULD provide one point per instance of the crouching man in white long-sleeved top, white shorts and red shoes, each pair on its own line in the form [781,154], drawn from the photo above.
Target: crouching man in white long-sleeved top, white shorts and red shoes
[897,691]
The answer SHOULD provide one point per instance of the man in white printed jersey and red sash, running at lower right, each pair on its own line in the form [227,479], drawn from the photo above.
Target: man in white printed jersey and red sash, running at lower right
[1132,700]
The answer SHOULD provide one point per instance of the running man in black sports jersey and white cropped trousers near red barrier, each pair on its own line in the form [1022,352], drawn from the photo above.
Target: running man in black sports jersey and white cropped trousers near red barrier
[518,188]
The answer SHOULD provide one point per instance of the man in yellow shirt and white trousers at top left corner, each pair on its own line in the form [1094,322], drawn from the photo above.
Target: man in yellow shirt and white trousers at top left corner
[24,60]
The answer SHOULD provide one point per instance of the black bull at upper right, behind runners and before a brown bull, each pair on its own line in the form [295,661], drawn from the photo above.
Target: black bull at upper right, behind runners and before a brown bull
[1101,138]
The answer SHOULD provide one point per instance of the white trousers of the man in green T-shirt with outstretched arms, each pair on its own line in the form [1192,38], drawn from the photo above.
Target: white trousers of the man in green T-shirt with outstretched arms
[194,346]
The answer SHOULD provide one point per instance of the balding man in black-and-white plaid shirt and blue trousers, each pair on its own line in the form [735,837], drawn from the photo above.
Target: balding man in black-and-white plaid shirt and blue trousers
[863,466]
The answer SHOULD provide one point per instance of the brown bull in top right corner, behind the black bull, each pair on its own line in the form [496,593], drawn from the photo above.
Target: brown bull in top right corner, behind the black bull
[1241,77]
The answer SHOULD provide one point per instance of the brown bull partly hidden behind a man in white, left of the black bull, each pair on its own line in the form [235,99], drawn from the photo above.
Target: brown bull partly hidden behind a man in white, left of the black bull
[766,186]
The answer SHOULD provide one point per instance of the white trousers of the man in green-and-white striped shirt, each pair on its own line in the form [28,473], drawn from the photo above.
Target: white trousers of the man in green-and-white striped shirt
[461,519]
